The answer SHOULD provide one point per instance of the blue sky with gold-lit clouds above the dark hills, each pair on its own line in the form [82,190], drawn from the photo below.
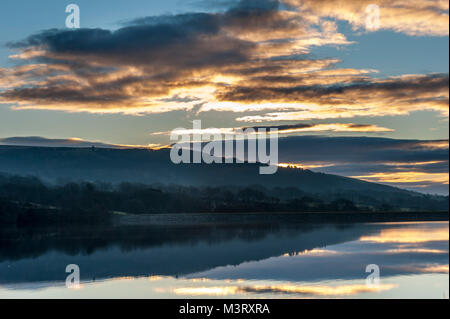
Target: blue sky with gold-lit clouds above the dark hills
[138,69]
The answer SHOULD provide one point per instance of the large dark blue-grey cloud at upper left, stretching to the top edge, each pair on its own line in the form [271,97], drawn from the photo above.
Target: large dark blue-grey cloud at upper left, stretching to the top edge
[188,40]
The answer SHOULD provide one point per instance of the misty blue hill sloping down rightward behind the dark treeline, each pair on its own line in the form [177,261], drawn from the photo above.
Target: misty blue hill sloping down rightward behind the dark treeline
[63,165]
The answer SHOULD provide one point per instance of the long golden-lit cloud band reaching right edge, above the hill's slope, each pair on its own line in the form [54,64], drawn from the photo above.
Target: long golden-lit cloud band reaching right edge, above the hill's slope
[393,96]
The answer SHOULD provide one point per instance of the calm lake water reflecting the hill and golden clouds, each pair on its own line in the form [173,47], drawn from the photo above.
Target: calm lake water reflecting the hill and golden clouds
[254,260]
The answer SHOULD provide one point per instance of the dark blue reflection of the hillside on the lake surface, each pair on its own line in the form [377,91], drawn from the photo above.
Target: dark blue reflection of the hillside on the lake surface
[158,250]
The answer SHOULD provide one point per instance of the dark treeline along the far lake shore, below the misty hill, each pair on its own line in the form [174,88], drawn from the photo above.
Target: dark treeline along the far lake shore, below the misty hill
[29,201]
